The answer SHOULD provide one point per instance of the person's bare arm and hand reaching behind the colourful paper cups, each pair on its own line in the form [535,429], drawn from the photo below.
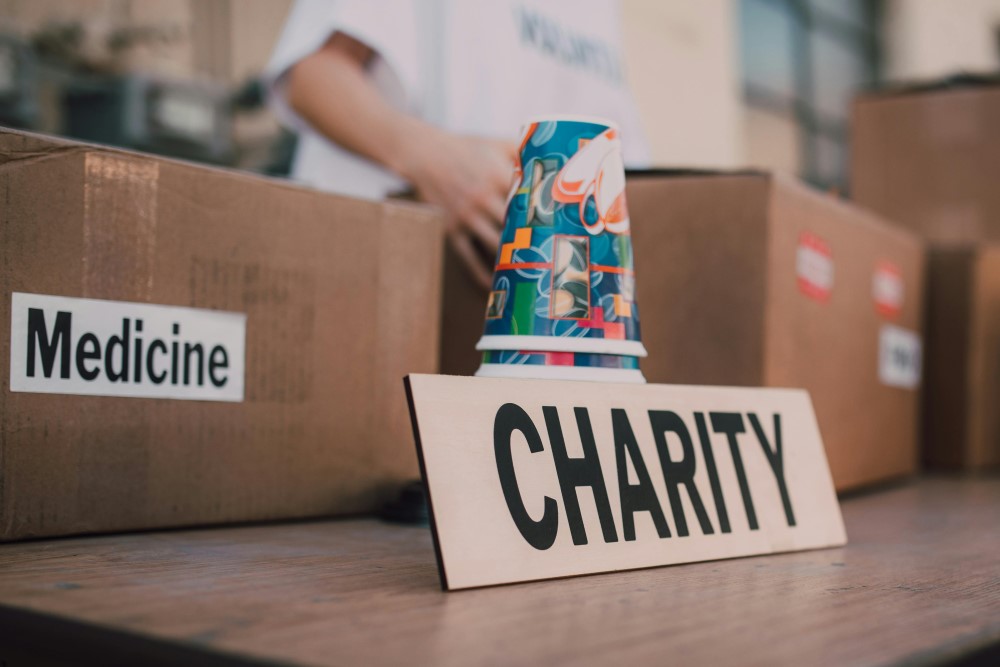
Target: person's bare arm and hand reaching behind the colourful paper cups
[467,176]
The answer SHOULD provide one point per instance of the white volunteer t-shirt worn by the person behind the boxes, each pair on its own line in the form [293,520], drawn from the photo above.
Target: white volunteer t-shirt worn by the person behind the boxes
[479,67]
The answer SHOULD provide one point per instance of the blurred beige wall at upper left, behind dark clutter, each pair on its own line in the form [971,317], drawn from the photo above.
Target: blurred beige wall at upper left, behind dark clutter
[226,42]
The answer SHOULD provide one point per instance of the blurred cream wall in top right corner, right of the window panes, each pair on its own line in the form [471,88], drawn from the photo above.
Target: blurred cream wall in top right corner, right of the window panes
[933,38]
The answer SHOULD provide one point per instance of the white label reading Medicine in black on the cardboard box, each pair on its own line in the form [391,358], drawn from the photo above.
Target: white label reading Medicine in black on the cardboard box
[63,345]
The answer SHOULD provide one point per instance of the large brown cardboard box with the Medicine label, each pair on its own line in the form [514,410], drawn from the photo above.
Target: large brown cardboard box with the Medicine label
[340,297]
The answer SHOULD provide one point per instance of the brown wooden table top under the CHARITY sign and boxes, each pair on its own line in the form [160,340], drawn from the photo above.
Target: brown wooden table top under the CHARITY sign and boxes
[918,584]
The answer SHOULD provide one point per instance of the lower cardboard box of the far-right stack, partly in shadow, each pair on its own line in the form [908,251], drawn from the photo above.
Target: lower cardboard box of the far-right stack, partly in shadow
[961,401]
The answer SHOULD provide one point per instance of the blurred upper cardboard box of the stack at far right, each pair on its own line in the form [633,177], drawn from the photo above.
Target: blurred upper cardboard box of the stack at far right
[928,158]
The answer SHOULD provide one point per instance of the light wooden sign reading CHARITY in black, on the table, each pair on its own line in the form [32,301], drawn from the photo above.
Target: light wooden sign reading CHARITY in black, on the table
[535,479]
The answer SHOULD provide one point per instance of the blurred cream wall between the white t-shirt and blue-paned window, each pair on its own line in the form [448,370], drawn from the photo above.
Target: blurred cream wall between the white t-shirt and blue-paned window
[681,59]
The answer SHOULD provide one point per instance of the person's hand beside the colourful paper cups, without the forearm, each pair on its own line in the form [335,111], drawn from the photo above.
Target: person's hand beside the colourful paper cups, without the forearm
[469,177]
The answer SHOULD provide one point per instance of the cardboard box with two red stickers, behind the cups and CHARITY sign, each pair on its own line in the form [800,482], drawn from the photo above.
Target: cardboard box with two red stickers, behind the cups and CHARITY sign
[725,281]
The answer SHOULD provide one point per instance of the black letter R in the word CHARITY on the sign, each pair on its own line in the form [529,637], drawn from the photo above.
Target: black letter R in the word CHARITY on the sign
[677,473]
